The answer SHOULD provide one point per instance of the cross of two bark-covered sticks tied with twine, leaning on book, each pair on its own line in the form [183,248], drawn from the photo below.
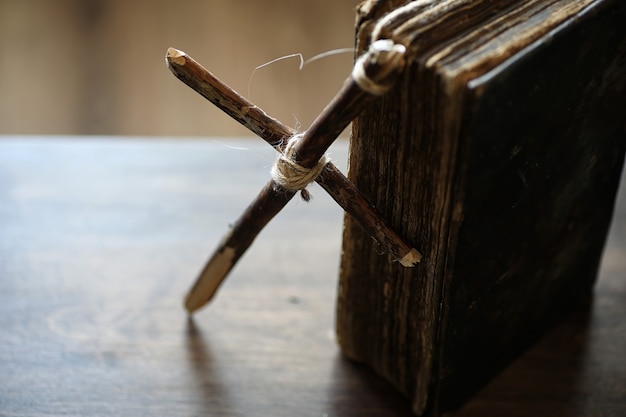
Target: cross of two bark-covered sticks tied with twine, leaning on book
[302,158]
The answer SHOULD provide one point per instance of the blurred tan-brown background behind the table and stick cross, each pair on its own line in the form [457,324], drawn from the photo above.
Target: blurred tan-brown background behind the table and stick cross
[97,66]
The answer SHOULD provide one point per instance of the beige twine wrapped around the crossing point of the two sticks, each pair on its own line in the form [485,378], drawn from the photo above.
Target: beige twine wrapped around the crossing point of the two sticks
[292,176]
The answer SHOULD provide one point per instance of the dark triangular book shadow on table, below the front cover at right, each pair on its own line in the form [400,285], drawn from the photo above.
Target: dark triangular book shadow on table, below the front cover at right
[548,379]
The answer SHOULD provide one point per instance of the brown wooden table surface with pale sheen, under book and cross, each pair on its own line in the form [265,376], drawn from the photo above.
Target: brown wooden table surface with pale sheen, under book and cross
[101,237]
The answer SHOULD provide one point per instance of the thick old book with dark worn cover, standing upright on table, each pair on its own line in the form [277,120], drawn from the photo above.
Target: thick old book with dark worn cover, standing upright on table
[498,156]
